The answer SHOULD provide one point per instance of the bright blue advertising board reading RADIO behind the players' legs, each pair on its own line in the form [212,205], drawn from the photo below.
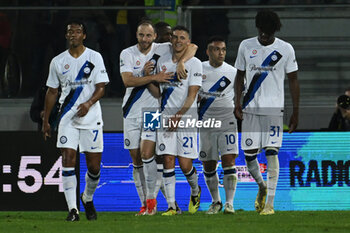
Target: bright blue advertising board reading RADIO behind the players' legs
[314,175]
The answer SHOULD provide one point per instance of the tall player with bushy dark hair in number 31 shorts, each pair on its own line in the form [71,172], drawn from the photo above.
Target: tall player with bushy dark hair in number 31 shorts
[263,62]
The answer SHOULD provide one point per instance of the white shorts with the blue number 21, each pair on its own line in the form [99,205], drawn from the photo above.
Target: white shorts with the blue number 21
[179,143]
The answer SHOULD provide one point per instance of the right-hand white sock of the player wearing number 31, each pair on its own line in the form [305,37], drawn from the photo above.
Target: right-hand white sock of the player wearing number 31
[272,177]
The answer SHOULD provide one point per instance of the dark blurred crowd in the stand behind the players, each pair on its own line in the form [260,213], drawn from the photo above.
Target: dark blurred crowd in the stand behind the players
[30,39]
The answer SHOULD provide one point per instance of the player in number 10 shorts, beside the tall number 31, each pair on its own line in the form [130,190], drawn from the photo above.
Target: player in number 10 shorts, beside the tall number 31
[217,103]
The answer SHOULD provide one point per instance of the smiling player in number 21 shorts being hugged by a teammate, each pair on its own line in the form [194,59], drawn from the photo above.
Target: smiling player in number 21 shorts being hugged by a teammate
[178,101]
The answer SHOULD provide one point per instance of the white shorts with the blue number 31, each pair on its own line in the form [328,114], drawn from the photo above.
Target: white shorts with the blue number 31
[260,131]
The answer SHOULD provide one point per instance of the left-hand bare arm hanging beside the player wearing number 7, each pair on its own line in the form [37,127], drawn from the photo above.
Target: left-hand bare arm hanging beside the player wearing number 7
[50,100]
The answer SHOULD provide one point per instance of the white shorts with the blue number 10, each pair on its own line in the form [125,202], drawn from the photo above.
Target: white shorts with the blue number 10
[214,143]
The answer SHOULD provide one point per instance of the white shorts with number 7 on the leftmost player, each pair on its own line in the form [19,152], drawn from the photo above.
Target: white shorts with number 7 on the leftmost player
[88,140]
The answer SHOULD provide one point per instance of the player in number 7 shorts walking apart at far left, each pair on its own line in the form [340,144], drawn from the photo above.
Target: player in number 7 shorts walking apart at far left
[81,75]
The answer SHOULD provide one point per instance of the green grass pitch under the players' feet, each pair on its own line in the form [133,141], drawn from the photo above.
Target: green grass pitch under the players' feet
[241,222]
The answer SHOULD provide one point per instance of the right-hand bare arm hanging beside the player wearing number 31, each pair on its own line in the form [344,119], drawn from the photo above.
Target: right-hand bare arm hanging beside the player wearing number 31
[295,93]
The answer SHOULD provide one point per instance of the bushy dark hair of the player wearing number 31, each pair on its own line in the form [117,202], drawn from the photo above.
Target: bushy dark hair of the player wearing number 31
[268,21]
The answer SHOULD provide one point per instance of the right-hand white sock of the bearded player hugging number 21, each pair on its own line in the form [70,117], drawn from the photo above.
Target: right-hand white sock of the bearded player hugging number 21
[150,170]
